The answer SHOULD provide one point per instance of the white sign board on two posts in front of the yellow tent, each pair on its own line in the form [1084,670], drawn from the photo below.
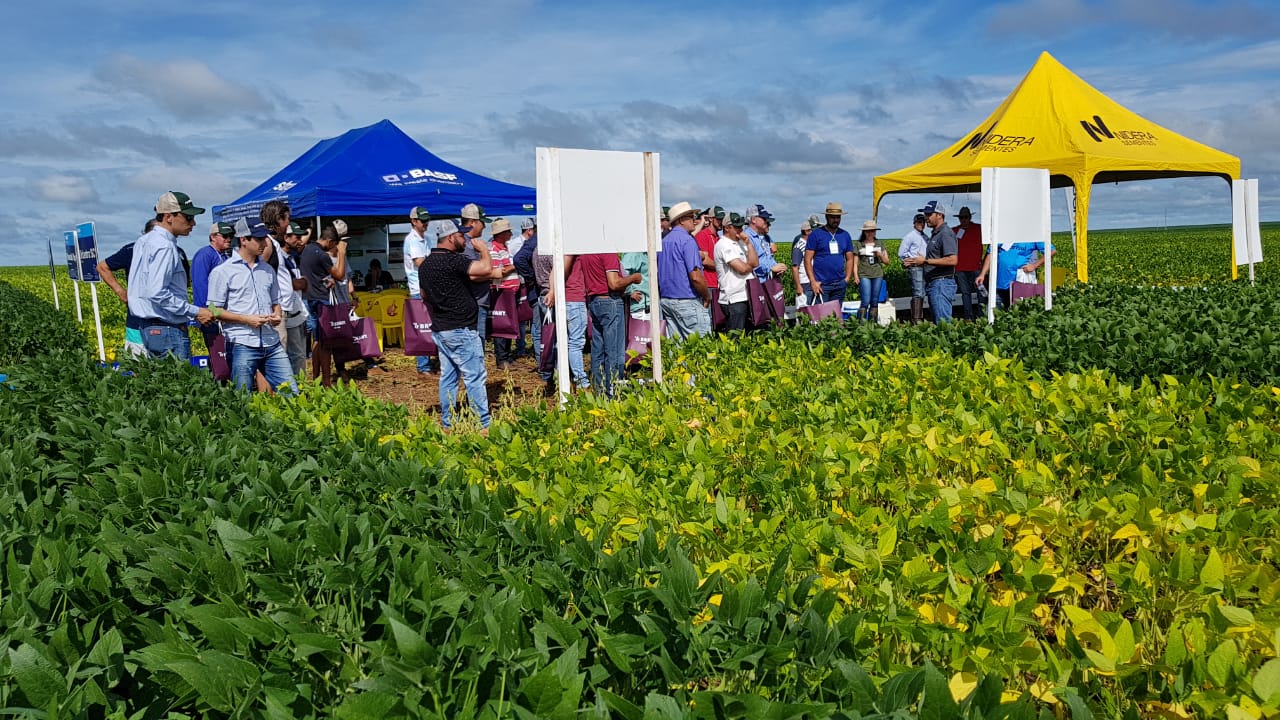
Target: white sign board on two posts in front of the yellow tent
[1016,208]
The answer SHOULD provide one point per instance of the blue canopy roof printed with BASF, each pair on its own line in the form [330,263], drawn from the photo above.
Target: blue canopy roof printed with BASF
[381,172]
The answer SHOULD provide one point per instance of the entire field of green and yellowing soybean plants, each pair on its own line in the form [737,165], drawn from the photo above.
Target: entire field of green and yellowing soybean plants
[1068,514]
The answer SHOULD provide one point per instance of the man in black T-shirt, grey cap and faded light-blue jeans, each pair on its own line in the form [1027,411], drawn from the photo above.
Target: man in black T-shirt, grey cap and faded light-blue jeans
[449,280]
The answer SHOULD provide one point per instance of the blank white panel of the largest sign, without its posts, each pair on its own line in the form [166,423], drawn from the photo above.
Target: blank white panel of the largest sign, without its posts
[597,199]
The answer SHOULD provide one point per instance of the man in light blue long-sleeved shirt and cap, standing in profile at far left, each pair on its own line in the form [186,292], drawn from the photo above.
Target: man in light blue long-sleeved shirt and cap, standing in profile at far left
[158,290]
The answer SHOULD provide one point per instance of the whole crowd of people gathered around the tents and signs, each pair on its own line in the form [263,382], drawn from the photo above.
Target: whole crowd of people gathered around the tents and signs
[260,286]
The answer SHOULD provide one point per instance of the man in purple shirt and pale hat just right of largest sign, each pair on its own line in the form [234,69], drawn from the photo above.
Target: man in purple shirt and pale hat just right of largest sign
[682,285]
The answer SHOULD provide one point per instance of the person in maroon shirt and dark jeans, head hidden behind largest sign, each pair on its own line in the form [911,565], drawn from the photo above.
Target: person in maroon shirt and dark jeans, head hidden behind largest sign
[602,274]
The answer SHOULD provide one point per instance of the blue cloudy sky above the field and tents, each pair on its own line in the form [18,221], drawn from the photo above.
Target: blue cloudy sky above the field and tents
[106,106]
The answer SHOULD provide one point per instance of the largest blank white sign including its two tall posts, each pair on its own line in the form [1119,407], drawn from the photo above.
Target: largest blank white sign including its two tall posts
[598,202]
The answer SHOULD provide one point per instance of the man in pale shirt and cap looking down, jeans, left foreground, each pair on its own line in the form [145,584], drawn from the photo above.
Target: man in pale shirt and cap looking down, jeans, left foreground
[244,297]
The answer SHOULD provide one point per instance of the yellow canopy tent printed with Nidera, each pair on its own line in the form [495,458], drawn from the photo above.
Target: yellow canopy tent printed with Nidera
[1057,121]
